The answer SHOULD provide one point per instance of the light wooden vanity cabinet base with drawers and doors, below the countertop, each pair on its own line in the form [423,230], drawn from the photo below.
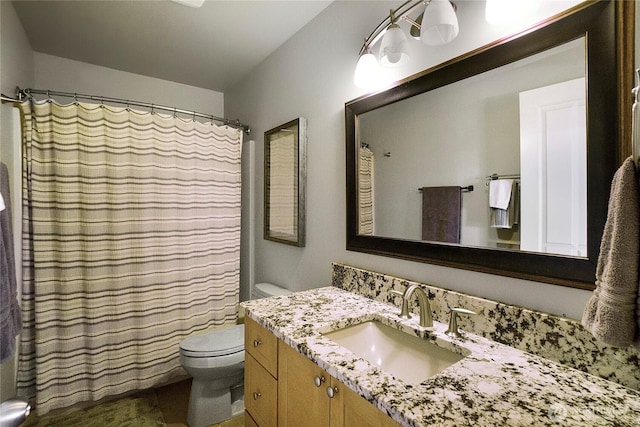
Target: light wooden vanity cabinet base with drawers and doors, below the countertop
[285,388]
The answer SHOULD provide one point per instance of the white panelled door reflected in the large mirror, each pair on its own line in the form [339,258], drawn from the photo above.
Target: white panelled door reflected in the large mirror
[553,163]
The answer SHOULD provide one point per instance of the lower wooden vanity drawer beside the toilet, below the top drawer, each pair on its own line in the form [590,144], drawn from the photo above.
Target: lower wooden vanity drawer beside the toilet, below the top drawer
[261,393]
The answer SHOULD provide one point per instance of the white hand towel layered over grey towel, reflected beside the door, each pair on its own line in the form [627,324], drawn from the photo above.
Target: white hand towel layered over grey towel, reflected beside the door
[504,202]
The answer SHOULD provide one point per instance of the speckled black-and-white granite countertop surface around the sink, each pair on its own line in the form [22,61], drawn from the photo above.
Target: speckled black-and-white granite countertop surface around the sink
[494,385]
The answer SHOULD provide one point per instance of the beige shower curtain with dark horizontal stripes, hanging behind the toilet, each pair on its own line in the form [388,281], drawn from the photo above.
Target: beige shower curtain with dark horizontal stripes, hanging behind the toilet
[131,242]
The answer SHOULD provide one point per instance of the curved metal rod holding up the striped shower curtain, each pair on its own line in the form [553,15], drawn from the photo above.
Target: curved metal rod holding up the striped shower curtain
[21,94]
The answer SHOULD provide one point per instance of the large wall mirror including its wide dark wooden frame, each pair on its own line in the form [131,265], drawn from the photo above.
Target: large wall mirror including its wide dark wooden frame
[539,116]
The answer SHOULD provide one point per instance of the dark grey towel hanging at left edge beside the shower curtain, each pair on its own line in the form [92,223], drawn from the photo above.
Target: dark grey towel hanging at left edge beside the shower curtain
[10,321]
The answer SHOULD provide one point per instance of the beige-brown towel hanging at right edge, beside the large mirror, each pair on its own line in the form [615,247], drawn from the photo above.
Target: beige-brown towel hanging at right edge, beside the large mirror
[610,314]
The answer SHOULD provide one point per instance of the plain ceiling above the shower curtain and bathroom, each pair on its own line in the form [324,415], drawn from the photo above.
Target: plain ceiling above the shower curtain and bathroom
[211,47]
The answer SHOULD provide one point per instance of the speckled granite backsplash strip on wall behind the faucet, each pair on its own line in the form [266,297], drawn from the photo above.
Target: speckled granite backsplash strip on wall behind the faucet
[555,338]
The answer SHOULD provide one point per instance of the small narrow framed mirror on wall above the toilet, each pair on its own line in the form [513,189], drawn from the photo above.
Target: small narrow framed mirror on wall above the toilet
[285,160]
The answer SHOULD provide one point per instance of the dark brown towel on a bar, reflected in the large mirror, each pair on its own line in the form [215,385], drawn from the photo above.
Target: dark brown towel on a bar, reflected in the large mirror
[441,213]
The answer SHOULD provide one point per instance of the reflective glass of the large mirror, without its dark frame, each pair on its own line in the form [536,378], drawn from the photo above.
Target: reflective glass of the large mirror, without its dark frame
[523,123]
